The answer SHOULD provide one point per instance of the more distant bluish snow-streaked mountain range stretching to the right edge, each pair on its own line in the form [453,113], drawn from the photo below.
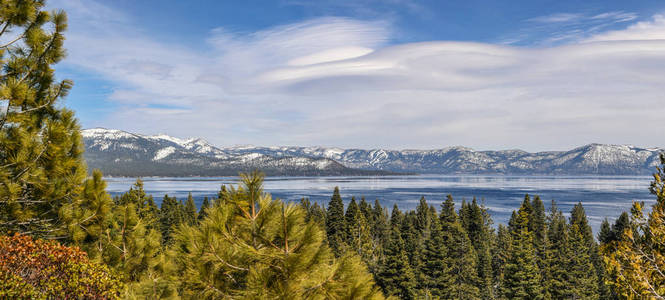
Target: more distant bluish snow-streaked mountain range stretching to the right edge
[593,159]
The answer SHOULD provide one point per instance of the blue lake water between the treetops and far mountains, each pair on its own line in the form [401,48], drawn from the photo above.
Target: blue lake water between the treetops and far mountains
[602,196]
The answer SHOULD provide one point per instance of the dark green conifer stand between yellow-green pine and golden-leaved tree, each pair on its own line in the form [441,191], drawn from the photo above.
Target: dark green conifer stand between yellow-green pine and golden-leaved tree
[454,253]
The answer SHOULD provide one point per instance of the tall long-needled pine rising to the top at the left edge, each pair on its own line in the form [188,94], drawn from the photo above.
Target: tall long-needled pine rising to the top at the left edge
[41,150]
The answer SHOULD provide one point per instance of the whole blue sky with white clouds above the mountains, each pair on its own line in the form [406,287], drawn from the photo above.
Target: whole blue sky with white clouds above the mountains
[399,74]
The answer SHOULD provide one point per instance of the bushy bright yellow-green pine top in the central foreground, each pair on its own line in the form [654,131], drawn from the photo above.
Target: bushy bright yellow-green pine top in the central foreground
[252,246]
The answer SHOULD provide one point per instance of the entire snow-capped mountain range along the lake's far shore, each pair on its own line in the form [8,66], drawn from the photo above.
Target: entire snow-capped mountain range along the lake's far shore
[121,152]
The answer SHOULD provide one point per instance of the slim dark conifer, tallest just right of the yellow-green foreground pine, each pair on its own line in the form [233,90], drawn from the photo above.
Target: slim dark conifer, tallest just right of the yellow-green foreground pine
[336,224]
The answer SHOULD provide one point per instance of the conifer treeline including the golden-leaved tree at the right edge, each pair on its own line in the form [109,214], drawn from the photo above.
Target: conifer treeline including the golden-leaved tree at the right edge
[454,253]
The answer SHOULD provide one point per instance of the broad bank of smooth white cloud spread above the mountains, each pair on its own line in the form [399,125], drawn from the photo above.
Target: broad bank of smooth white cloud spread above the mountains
[336,81]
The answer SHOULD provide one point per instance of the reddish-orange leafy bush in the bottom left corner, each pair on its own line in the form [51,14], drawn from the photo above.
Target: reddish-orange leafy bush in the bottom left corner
[41,269]
